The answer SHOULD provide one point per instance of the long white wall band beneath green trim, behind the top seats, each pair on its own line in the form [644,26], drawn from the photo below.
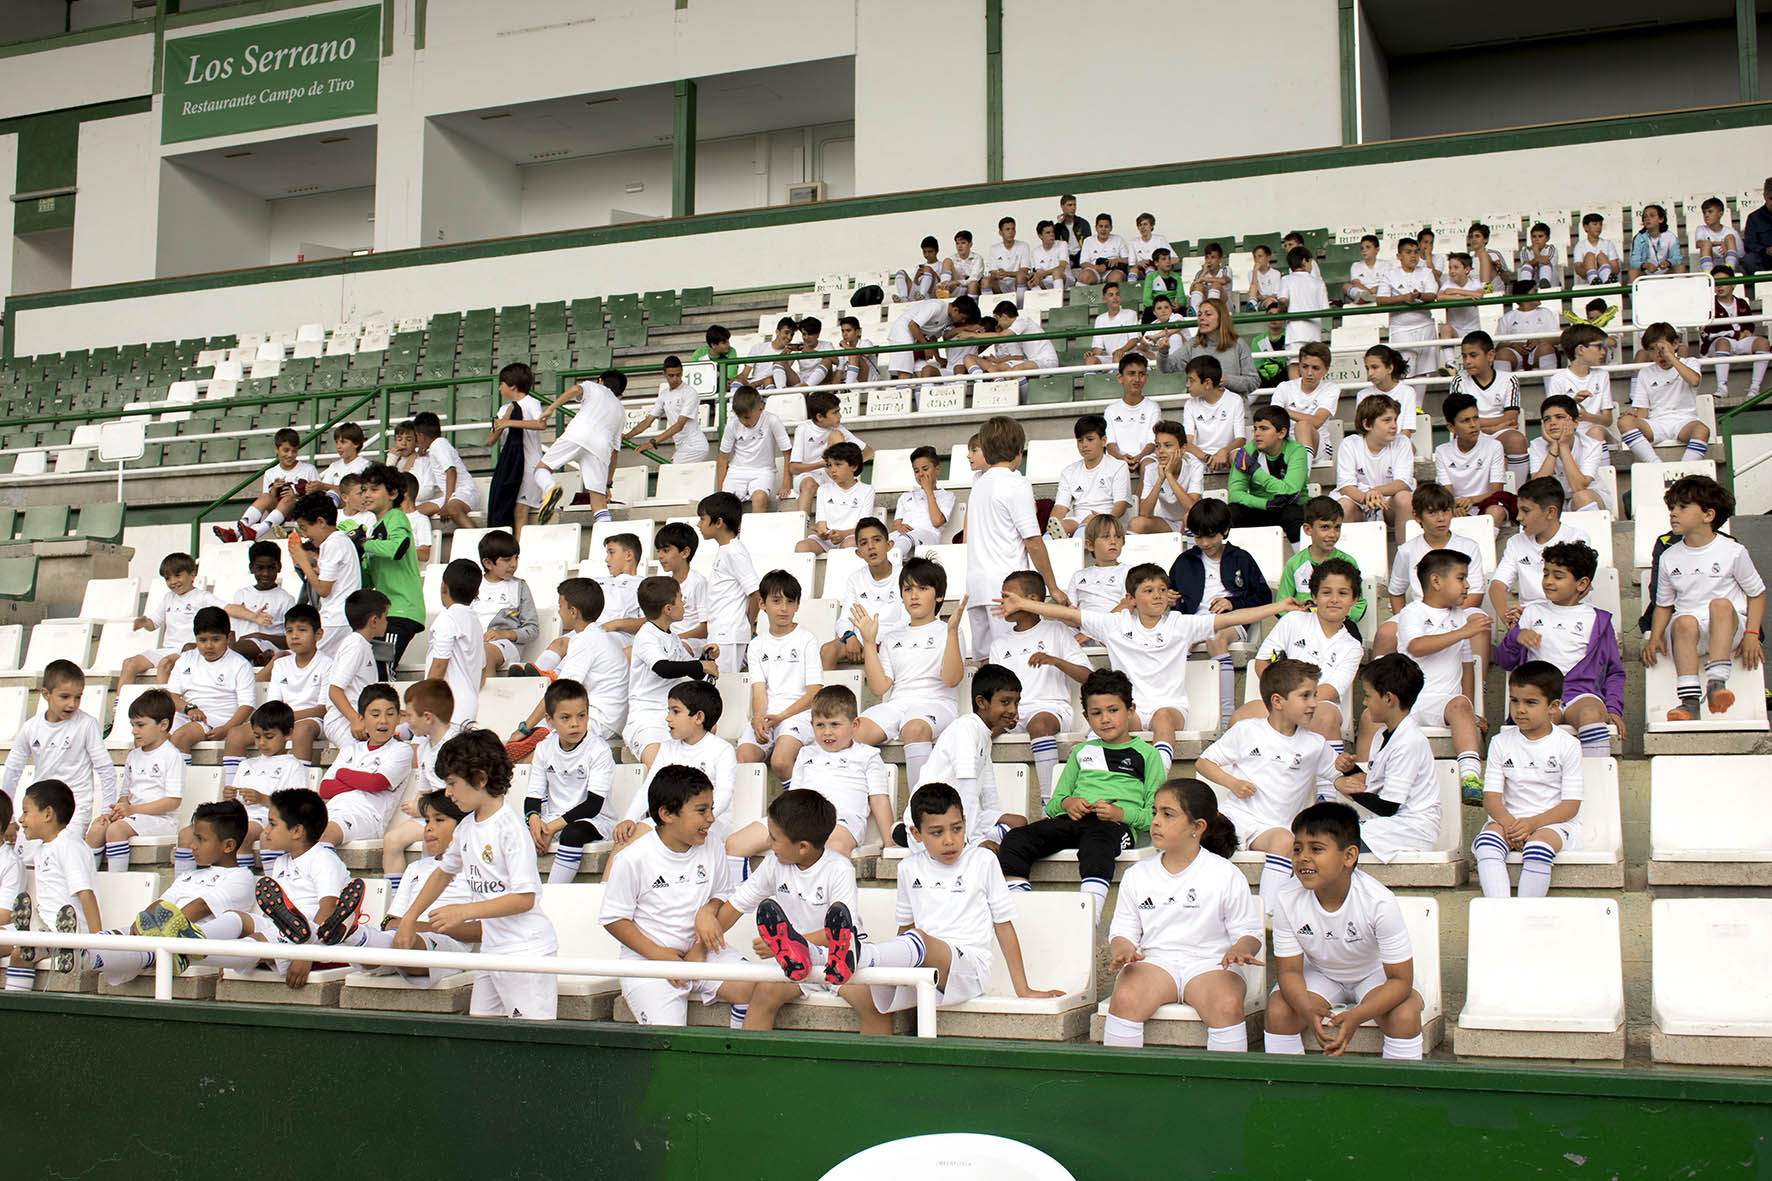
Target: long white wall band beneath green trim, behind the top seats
[1406,191]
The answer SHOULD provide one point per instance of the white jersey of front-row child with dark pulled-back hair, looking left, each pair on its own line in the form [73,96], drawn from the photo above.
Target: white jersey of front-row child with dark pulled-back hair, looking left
[1190,916]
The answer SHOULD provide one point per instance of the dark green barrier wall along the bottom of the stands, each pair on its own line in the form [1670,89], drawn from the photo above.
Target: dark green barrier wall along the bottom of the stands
[134,1090]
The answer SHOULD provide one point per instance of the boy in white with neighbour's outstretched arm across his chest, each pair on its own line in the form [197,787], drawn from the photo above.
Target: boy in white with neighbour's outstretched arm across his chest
[1043,655]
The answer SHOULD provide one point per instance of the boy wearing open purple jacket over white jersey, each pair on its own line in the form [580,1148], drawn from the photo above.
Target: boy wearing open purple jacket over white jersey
[1578,641]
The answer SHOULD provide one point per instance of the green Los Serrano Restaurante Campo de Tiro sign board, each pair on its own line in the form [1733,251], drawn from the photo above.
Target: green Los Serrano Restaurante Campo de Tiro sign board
[272,75]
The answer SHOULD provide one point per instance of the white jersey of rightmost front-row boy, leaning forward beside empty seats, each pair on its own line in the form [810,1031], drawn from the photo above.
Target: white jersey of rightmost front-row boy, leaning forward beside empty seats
[1348,944]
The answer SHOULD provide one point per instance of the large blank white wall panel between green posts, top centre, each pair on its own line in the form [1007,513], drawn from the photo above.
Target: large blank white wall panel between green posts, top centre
[1224,104]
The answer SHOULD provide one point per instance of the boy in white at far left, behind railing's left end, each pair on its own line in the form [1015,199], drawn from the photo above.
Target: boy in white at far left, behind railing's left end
[63,895]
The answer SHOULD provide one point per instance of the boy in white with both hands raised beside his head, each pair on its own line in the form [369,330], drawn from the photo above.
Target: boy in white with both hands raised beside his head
[913,669]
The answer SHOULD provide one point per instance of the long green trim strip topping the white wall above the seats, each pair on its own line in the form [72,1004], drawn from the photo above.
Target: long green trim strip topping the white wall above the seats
[1234,168]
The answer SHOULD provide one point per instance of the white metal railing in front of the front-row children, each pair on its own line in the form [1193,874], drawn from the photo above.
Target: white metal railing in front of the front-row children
[164,950]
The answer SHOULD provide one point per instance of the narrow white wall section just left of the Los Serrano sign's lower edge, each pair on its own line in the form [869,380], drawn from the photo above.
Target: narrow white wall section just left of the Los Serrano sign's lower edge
[120,199]
